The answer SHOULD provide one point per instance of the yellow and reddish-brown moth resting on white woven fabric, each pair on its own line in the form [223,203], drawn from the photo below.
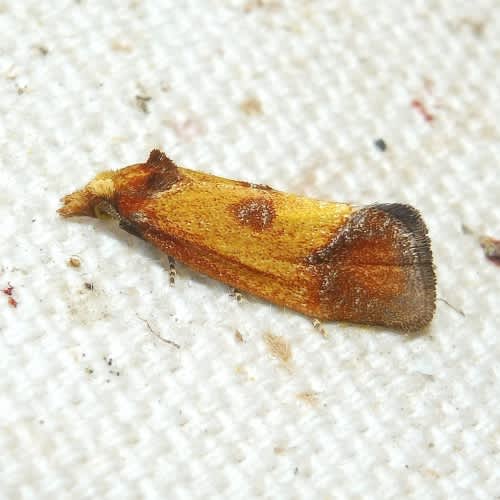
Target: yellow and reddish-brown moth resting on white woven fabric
[327,260]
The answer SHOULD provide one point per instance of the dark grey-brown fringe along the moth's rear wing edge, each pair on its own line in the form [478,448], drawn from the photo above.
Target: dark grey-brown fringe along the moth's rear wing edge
[410,218]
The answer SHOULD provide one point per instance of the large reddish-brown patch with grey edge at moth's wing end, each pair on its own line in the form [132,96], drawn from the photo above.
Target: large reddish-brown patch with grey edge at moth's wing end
[378,269]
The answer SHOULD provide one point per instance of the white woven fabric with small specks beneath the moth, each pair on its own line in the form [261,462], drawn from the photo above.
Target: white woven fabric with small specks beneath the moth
[287,93]
